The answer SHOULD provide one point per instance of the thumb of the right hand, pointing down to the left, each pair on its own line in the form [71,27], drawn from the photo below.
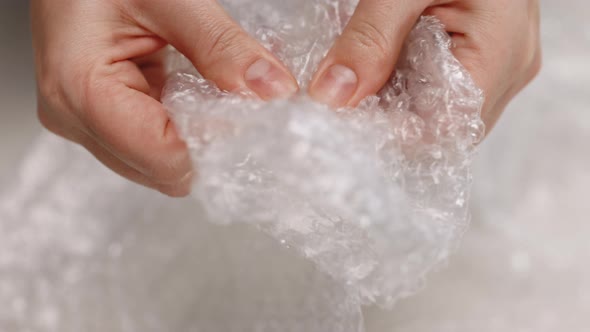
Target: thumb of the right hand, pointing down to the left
[363,58]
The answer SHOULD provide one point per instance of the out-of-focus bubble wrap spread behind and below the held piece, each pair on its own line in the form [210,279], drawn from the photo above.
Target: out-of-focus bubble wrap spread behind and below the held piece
[82,249]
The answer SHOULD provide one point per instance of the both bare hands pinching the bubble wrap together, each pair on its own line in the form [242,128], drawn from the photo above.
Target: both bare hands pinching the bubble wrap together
[99,69]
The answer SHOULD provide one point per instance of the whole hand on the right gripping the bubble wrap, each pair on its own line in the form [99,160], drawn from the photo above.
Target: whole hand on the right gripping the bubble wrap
[496,40]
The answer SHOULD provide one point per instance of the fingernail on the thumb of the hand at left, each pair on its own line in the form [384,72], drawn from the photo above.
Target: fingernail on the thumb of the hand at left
[268,81]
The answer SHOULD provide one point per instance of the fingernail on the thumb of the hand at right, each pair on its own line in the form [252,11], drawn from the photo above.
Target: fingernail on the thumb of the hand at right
[335,87]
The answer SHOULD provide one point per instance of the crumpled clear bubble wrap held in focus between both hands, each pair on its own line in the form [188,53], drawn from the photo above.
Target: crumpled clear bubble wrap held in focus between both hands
[374,196]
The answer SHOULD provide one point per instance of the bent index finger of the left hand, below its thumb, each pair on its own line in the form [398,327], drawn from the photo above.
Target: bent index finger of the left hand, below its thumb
[133,126]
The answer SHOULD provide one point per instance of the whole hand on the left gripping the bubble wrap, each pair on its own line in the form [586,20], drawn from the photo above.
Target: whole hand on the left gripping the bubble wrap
[100,73]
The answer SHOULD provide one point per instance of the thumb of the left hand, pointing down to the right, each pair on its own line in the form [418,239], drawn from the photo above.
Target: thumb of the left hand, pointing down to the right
[218,47]
